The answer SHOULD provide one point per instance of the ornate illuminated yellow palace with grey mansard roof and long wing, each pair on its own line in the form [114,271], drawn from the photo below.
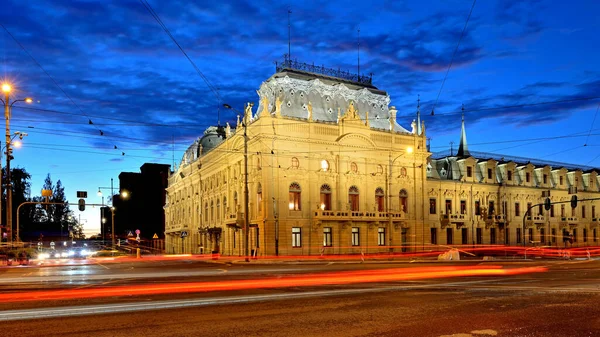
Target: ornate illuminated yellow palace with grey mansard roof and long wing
[330,171]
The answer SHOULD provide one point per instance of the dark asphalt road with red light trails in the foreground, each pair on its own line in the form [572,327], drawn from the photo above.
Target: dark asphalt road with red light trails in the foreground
[559,302]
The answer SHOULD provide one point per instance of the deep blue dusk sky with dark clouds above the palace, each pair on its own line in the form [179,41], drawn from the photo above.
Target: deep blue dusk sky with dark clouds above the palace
[124,73]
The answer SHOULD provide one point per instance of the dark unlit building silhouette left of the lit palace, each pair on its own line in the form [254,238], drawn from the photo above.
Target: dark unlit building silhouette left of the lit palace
[142,207]
